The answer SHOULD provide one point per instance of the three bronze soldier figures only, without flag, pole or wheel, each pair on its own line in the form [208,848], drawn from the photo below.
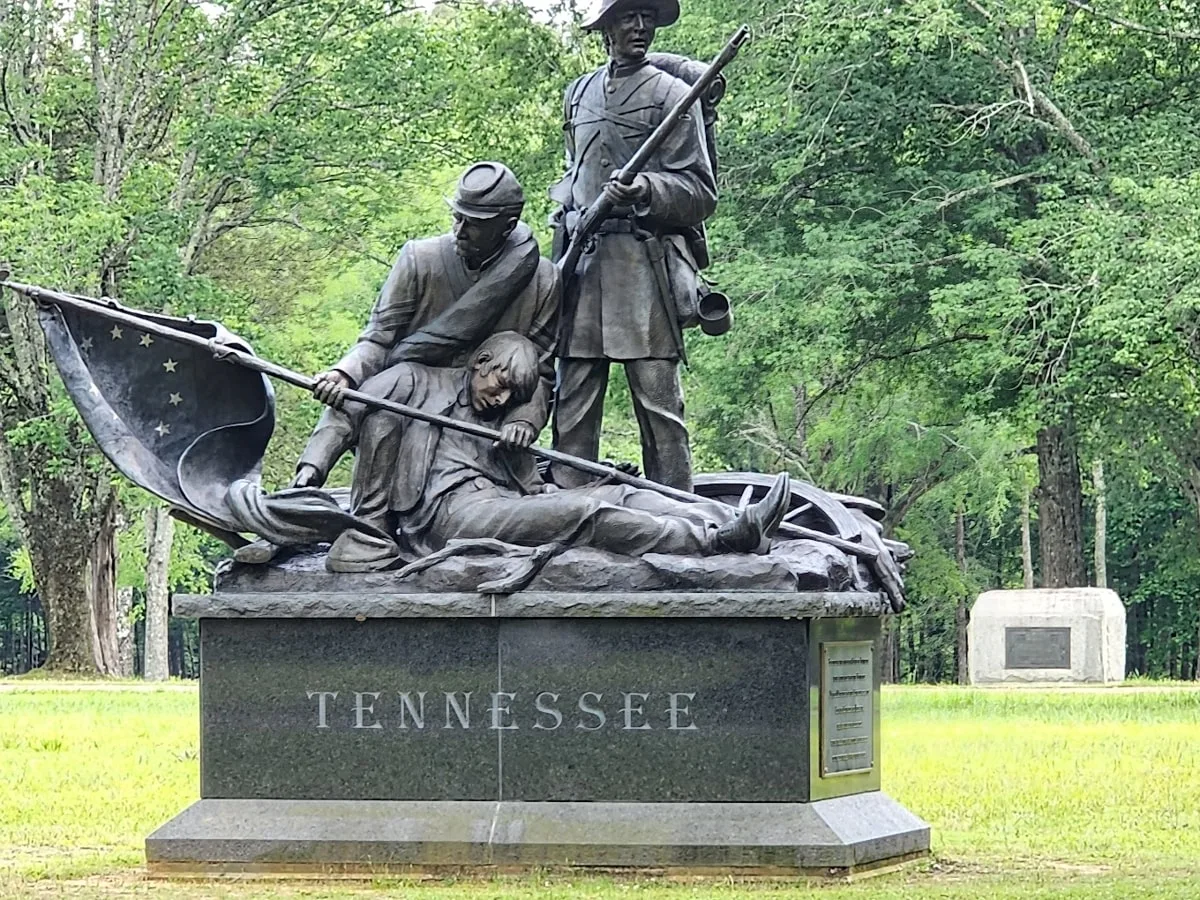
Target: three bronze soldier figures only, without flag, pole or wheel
[478,327]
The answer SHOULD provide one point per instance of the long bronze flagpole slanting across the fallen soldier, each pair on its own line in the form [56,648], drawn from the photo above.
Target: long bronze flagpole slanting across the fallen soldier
[113,311]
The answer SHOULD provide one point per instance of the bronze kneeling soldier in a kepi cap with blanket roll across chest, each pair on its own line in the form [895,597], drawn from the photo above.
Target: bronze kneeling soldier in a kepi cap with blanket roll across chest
[443,298]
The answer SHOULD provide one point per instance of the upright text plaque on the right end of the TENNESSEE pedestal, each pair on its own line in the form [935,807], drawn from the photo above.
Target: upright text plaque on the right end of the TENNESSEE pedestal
[848,682]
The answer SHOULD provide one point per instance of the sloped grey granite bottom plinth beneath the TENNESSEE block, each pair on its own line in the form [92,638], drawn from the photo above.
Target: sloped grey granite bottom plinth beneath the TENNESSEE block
[837,838]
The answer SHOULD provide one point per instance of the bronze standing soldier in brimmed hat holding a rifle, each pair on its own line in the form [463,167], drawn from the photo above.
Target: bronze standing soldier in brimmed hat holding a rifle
[635,285]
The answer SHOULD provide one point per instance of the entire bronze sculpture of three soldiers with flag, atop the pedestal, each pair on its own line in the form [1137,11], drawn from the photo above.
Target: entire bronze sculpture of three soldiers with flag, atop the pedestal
[476,345]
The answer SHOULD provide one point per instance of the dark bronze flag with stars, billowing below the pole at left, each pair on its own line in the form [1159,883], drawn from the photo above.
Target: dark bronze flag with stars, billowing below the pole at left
[167,412]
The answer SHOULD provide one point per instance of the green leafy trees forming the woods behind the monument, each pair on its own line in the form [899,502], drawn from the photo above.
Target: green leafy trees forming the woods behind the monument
[961,237]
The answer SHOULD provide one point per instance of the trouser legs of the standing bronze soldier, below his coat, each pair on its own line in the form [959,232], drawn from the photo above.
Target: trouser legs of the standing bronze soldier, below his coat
[658,405]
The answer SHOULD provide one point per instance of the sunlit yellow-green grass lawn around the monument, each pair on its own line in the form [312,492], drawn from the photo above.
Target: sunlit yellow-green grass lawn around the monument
[1041,794]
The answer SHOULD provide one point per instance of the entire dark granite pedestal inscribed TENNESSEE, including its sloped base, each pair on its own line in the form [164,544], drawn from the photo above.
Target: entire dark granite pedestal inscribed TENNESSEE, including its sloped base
[707,733]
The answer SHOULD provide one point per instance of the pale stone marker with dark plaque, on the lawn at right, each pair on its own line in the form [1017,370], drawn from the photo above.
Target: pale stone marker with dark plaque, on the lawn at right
[1047,635]
